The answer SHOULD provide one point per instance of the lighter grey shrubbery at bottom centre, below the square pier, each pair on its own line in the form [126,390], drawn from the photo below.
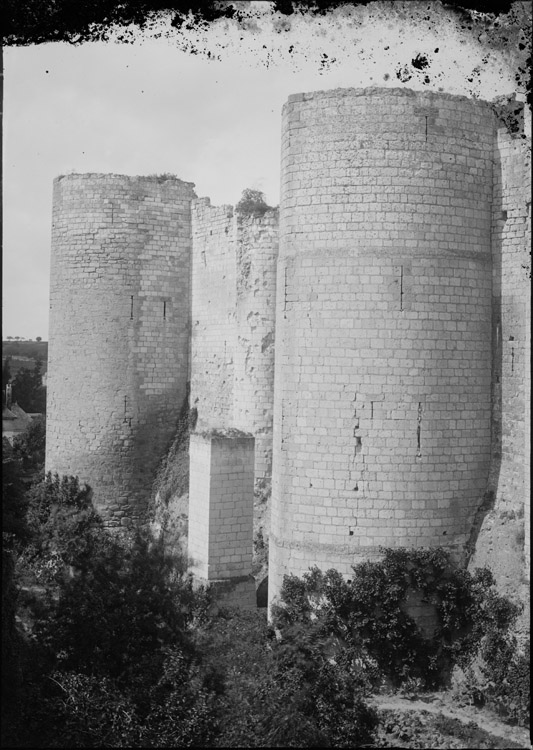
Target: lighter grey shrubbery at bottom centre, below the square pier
[281,693]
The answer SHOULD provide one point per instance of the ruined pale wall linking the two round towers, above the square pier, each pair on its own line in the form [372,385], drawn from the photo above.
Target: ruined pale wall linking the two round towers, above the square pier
[233,321]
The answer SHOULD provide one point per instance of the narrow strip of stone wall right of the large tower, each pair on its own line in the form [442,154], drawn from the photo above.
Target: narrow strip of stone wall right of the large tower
[502,544]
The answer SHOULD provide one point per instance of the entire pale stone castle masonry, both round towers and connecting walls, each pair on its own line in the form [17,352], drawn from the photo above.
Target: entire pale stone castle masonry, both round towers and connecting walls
[370,339]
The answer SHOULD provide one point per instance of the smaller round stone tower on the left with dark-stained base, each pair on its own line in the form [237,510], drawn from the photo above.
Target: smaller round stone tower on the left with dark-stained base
[119,320]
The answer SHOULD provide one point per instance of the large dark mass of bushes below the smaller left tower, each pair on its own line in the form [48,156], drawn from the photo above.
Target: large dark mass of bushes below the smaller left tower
[107,657]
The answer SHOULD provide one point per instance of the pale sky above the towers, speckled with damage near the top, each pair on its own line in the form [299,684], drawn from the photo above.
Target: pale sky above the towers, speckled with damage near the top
[153,107]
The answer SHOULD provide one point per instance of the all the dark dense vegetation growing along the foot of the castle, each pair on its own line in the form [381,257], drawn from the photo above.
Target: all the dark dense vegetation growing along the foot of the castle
[107,643]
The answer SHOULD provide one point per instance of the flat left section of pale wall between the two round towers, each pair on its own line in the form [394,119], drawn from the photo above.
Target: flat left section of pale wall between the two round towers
[213,329]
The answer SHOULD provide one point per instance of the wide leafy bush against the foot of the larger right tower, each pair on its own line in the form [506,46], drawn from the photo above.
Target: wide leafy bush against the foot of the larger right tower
[368,616]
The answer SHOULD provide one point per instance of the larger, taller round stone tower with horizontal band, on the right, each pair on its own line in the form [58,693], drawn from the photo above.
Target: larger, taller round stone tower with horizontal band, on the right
[383,326]
